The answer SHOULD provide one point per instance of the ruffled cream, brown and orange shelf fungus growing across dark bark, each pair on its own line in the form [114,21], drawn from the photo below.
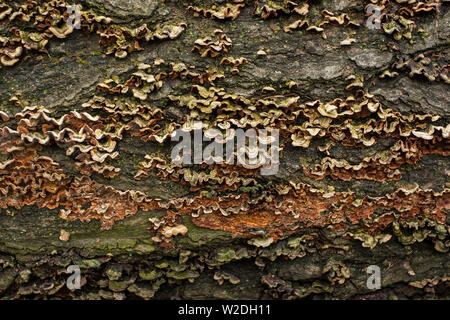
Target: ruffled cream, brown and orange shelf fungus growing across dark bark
[275,216]
